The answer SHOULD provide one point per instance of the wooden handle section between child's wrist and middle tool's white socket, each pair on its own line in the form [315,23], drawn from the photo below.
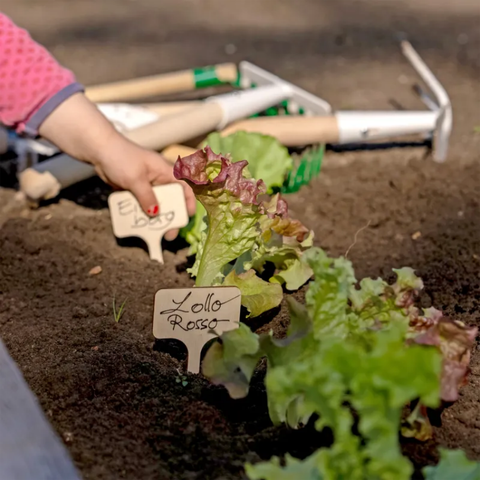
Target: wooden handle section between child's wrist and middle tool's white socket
[178,127]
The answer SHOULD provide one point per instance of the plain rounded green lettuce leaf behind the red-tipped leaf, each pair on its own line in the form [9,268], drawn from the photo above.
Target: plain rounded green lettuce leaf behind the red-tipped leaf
[267,158]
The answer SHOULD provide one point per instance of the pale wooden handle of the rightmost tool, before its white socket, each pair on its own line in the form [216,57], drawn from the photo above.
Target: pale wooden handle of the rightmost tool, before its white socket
[291,131]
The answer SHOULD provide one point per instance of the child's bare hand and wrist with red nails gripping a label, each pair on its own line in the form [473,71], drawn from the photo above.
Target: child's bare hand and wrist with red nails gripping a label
[79,129]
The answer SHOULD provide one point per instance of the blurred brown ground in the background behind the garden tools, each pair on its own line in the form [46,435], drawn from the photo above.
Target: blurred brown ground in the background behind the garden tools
[345,51]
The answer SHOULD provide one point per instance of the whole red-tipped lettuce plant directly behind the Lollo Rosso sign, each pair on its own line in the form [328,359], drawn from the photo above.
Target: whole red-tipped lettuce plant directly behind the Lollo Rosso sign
[239,228]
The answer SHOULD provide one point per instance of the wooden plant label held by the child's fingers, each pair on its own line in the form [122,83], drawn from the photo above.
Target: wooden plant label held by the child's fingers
[129,220]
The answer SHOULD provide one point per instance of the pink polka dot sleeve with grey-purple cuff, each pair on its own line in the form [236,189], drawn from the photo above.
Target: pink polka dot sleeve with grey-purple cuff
[32,83]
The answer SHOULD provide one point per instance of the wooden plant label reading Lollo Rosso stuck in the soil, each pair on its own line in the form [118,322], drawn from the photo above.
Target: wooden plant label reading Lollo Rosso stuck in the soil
[195,315]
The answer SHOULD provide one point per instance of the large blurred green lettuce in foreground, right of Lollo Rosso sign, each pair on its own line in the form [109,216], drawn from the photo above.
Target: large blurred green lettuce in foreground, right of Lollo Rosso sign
[352,348]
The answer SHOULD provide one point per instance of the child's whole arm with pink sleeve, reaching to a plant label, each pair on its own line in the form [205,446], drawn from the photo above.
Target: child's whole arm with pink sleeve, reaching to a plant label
[38,96]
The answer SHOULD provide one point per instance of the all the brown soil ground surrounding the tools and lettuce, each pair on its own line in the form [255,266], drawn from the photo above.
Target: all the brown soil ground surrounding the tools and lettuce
[108,388]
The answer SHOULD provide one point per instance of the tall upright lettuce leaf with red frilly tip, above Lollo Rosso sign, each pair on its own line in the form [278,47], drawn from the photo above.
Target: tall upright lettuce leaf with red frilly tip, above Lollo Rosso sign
[230,201]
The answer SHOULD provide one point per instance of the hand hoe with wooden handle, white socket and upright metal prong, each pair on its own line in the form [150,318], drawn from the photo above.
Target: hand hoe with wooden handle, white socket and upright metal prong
[361,127]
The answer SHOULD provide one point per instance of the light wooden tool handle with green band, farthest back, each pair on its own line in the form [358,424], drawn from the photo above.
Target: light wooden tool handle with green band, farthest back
[162,84]
